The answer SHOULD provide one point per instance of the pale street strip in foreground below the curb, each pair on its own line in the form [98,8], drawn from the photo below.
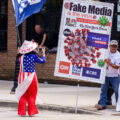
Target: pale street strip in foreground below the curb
[11,114]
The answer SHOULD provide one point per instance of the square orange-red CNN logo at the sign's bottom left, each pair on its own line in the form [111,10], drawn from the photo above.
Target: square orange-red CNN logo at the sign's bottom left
[64,67]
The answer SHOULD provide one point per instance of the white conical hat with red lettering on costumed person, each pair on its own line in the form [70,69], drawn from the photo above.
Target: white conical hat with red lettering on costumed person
[28,46]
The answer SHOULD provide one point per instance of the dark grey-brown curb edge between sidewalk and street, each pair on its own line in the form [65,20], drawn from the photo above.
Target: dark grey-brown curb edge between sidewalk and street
[49,107]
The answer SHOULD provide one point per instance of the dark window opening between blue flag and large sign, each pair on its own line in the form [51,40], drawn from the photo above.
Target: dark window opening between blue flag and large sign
[49,18]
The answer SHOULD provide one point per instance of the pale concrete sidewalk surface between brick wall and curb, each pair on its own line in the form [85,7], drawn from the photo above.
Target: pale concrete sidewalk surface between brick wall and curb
[62,95]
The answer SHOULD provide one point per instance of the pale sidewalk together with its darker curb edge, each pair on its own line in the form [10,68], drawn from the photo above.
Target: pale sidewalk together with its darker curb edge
[58,97]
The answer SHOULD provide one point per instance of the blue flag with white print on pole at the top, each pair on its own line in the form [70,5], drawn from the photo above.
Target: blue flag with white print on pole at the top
[25,8]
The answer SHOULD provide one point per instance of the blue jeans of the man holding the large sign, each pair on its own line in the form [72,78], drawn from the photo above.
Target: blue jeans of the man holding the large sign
[104,89]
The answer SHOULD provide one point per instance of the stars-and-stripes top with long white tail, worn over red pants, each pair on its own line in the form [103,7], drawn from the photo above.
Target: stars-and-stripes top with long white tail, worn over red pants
[27,72]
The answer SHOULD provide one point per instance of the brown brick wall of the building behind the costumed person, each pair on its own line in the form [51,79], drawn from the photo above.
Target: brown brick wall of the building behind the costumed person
[7,59]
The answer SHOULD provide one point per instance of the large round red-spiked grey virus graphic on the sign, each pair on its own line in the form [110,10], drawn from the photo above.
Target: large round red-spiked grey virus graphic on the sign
[78,52]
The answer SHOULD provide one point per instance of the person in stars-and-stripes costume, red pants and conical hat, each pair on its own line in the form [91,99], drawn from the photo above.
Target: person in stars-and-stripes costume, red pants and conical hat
[27,80]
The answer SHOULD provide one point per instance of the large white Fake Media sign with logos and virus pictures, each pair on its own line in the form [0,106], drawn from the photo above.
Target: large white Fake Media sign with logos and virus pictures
[83,40]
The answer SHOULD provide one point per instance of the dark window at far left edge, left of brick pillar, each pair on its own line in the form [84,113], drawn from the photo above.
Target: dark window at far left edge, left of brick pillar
[3,24]
